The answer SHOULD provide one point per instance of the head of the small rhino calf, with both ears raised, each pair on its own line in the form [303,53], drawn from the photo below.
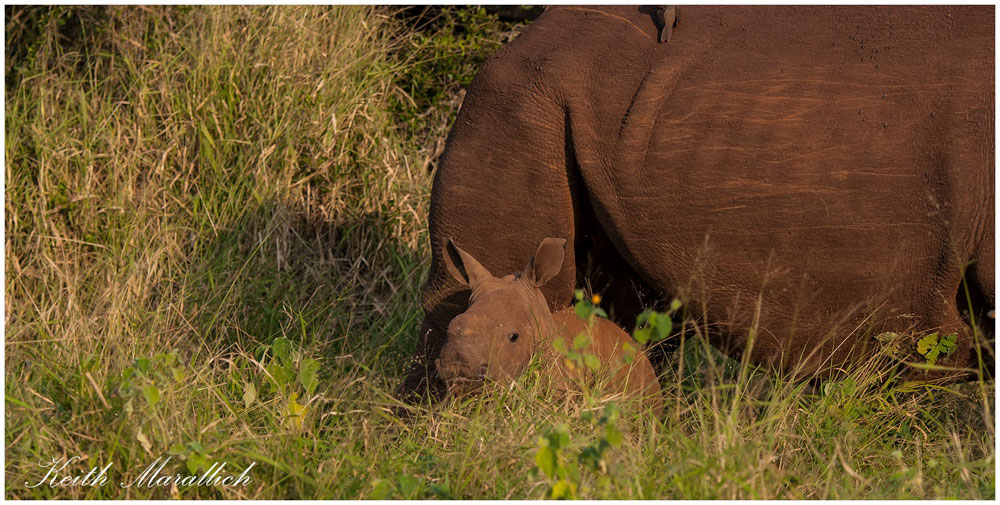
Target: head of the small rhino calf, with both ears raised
[506,319]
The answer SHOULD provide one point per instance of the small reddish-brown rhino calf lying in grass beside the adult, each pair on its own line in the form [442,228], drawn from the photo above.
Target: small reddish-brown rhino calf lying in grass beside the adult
[508,321]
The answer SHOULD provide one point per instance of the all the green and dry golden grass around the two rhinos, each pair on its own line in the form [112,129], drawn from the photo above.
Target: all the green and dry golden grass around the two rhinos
[216,235]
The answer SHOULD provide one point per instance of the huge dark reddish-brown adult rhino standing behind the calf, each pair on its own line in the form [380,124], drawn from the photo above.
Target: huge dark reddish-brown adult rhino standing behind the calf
[820,174]
